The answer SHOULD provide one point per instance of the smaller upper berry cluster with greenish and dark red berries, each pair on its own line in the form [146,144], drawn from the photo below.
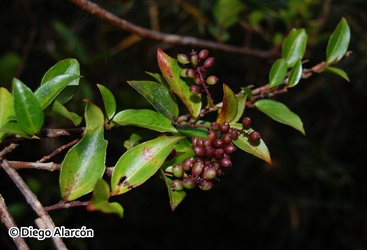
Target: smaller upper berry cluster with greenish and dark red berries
[200,62]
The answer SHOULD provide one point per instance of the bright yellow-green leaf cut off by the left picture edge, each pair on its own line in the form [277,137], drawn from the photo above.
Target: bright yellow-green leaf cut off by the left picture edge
[6,109]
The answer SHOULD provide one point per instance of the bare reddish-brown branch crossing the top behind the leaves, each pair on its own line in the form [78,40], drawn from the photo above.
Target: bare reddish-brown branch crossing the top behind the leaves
[96,10]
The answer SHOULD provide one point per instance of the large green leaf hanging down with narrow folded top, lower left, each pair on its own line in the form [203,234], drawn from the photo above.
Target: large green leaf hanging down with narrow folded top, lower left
[84,163]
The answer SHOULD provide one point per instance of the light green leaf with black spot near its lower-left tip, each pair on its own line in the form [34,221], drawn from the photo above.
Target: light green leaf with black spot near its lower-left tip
[138,164]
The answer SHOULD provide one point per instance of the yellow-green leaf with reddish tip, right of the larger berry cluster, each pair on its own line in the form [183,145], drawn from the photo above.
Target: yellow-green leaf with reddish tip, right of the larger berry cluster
[258,150]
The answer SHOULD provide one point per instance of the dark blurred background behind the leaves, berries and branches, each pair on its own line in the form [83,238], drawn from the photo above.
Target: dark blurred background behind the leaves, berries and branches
[312,197]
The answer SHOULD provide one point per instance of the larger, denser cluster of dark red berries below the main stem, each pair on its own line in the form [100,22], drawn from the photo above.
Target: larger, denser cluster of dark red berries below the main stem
[212,157]
